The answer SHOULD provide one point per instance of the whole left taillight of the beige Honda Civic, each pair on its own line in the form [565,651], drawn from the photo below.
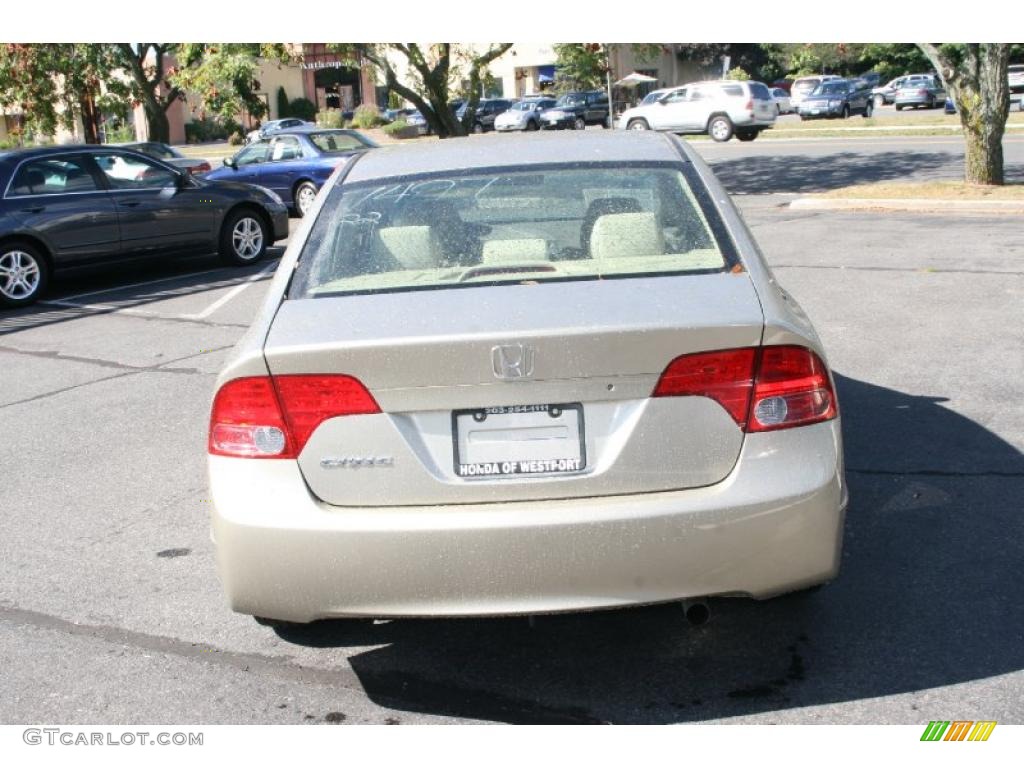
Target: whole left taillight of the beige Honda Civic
[265,417]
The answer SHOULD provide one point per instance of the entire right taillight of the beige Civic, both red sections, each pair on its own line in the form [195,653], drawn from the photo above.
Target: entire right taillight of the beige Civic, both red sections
[762,390]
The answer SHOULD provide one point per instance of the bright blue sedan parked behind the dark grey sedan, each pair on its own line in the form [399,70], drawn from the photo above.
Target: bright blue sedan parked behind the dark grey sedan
[294,163]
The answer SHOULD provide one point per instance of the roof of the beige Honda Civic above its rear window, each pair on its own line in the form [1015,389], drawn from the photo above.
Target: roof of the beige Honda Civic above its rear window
[471,154]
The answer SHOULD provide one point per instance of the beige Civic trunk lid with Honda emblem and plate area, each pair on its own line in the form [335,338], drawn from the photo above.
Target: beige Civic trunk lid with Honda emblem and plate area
[538,391]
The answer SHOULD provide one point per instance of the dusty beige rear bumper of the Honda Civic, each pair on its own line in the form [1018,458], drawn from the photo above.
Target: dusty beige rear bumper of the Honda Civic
[774,526]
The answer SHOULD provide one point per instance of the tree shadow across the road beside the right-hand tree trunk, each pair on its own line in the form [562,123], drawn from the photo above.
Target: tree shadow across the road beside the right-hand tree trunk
[767,175]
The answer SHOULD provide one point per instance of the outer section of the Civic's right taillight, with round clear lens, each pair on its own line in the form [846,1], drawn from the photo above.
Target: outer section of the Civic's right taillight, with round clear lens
[792,389]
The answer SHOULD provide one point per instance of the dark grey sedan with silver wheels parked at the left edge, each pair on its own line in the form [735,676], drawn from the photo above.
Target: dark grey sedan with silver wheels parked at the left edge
[66,208]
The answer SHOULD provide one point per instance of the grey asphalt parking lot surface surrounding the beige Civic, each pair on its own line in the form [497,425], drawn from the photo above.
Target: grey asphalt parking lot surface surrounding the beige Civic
[111,610]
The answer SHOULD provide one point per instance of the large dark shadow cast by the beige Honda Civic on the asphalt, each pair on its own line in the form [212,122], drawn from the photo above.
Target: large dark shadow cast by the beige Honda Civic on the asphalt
[929,596]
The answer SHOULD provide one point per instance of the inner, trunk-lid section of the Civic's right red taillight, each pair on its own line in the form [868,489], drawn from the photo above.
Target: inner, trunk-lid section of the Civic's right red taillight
[727,376]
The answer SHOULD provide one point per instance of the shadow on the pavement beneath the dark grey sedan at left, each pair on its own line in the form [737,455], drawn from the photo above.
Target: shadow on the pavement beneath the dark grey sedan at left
[105,292]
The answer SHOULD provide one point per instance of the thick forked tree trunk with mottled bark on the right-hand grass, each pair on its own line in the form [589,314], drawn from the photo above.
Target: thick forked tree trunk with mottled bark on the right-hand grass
[976,77]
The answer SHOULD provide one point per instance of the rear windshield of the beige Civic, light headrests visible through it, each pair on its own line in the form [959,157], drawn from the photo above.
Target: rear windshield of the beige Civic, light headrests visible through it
[506,227]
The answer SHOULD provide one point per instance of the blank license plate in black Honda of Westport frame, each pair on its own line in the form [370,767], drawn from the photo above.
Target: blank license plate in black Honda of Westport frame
[511,441]
